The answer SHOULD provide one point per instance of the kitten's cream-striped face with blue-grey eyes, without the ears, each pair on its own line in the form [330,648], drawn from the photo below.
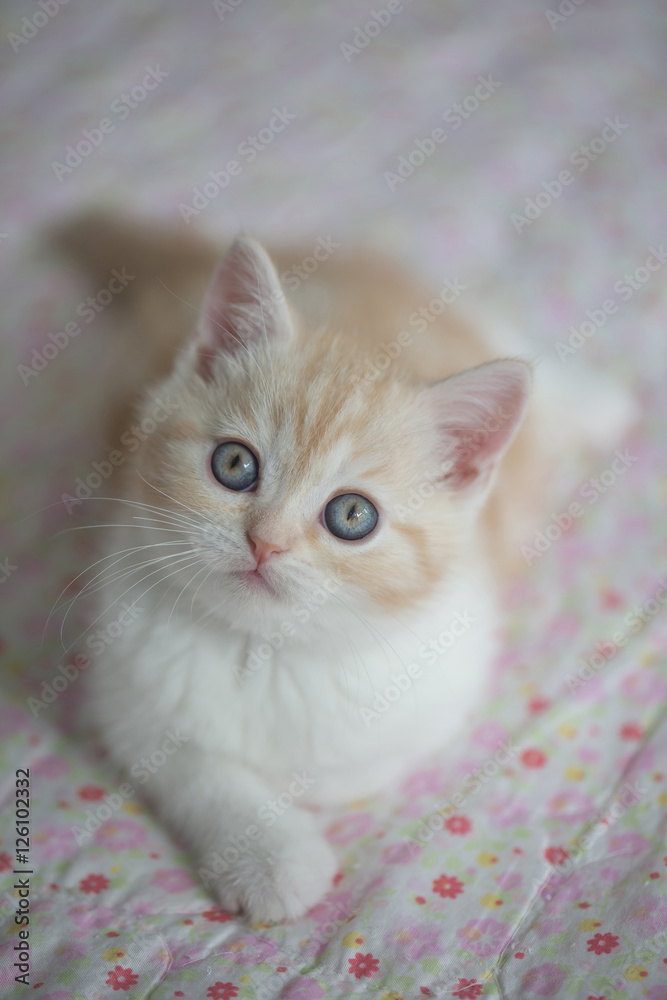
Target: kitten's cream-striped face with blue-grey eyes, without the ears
[297,479]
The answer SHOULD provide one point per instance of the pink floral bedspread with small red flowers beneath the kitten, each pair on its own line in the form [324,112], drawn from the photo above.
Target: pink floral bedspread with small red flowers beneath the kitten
[518,149]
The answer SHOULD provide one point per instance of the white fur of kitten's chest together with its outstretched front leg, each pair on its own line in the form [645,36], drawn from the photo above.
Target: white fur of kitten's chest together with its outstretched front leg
[299,713]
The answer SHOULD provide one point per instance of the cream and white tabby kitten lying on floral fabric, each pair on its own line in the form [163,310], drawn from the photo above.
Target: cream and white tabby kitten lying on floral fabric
[316,503]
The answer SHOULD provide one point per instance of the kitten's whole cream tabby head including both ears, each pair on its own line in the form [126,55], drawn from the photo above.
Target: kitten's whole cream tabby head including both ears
[291,477]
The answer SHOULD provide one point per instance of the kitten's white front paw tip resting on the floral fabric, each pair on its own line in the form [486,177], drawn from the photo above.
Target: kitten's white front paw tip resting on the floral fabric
[281,875]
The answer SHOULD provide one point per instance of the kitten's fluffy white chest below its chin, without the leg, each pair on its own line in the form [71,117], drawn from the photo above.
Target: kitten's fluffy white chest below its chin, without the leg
[352,711]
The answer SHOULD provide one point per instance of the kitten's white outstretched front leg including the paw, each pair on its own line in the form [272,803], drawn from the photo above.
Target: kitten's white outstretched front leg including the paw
[272,867]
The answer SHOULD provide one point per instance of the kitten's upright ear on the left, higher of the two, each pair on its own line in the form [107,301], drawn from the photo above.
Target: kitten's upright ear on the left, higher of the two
[244,302]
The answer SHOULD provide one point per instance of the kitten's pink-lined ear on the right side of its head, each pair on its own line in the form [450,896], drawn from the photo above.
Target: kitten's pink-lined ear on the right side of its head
[477,415]
